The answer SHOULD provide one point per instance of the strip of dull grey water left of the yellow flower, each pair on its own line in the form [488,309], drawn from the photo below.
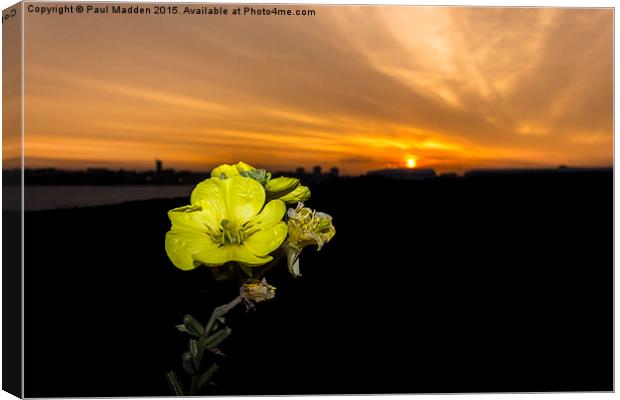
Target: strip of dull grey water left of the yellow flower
[43,197]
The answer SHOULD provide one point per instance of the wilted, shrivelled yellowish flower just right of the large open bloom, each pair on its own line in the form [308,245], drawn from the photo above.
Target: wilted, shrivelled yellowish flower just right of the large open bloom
[306,227]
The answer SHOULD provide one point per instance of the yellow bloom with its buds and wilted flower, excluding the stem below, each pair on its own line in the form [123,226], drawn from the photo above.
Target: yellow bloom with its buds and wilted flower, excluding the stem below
[239,215]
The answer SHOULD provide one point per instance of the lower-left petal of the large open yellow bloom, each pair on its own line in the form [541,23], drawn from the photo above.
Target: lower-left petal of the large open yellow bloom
[185,248]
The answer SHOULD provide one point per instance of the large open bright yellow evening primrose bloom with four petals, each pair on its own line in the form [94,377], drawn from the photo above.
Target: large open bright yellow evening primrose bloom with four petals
[227,220]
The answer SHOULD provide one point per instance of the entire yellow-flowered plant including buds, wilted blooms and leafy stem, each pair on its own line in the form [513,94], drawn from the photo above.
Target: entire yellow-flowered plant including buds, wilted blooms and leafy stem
[237,220]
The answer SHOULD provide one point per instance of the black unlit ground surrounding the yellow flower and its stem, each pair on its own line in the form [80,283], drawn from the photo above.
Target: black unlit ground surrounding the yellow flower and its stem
[454,285]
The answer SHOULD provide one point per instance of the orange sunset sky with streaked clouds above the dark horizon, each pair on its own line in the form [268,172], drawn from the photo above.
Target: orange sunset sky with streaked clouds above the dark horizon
[355,87]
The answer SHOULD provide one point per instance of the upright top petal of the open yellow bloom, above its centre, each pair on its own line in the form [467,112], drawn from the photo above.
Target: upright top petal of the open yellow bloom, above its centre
[244,197]
